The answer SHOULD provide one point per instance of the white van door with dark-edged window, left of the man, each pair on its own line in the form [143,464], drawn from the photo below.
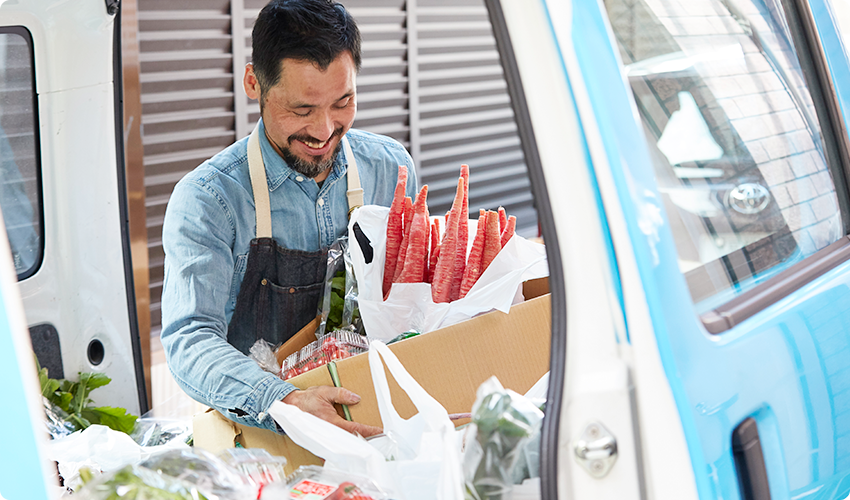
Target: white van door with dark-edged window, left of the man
[63,194]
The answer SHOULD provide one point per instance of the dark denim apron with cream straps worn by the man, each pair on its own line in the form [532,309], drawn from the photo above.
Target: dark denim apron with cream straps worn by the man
[281,289]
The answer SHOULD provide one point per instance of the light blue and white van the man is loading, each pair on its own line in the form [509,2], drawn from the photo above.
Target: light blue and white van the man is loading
[690,162]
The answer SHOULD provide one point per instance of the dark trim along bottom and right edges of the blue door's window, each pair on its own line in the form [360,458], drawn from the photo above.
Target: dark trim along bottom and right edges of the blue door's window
[836,144]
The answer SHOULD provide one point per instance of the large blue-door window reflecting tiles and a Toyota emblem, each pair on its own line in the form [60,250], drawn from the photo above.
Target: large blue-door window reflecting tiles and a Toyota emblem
[734,137]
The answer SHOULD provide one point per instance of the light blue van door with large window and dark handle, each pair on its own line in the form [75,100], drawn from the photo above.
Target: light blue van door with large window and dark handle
[728,156]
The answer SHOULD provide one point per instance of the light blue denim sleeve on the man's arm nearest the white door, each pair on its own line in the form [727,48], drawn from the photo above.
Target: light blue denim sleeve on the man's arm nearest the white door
[198,237]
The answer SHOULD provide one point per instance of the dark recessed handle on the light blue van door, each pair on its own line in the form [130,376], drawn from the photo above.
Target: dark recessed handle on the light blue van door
[749,461]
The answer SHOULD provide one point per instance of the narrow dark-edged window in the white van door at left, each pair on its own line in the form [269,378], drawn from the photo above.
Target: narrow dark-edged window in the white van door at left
[20,186]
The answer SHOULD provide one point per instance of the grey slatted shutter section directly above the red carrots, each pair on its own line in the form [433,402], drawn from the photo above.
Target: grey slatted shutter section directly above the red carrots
[465,114]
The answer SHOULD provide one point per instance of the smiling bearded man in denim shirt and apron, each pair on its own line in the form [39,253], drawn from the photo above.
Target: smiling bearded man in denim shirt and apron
[235,273]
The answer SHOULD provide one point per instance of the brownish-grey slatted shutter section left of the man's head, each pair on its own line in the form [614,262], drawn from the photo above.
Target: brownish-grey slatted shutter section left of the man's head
[187,104]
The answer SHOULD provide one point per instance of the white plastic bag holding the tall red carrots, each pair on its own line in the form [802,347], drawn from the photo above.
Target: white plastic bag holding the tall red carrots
[409,306]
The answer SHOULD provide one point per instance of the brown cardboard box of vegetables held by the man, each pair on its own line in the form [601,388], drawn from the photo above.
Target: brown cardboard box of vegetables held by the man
[449,363]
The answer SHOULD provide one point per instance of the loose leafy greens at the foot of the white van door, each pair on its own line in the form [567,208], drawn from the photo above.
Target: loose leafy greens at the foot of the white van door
[73,399]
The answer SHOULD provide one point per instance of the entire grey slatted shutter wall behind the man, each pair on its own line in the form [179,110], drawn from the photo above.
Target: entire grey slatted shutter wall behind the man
[430,78]
